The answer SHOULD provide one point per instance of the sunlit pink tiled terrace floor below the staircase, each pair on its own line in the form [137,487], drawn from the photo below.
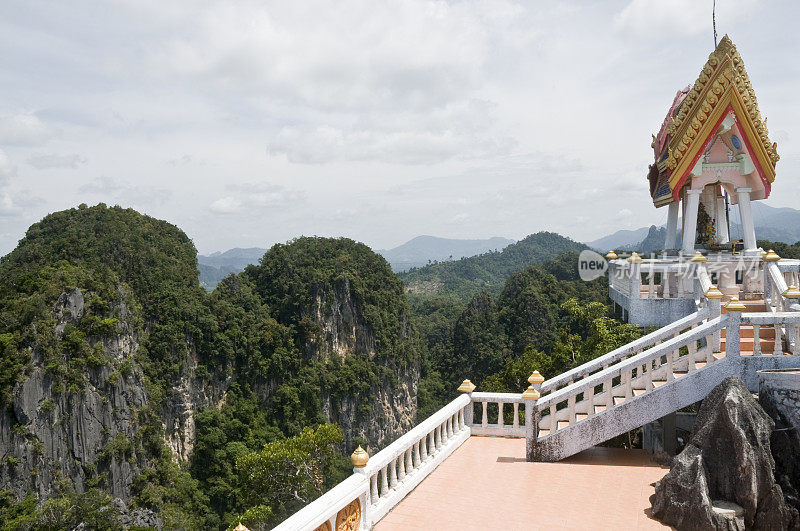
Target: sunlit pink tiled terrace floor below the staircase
[486,484]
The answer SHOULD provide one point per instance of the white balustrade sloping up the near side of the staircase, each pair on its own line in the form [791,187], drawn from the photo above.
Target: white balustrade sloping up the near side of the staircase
[601,392]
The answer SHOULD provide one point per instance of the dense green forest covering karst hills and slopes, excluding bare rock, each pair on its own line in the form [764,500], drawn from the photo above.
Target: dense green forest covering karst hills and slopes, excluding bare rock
[256,348]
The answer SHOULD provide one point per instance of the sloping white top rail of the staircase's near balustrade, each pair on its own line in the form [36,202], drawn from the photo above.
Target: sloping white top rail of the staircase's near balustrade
[605,375]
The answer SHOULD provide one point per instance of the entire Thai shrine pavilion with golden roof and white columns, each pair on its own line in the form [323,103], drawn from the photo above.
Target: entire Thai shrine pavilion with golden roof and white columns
[713,151]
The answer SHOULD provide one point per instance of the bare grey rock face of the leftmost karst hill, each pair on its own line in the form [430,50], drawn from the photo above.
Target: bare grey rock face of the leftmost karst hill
[54,431]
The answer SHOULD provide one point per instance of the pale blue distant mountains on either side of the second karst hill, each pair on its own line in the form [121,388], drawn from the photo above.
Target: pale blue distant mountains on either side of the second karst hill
[417,252]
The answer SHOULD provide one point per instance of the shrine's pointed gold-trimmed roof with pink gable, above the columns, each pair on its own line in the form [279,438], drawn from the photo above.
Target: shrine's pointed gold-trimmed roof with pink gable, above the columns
[714,134]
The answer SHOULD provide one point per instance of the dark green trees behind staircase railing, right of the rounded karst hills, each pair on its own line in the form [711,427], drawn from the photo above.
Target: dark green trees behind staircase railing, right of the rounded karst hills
[544,318]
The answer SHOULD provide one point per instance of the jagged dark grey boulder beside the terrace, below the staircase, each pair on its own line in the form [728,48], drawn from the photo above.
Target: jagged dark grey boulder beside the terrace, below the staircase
[727,463]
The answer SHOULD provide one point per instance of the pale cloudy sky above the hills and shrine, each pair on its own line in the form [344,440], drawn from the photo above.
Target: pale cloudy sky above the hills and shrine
[249,123]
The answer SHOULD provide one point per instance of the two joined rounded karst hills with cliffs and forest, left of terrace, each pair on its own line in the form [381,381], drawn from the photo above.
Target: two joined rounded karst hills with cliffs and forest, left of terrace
[183,405]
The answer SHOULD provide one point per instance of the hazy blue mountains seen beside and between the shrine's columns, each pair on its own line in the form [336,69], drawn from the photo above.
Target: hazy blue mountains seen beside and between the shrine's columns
[773,224]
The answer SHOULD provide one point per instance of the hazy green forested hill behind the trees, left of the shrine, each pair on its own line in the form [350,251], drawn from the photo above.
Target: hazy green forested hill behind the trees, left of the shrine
[467,276]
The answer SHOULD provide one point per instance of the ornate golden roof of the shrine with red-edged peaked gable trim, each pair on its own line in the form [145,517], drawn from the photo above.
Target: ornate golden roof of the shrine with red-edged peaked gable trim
[723,84]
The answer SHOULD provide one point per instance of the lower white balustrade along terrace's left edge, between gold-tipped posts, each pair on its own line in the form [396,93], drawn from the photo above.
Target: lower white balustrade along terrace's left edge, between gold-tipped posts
[397,469]
